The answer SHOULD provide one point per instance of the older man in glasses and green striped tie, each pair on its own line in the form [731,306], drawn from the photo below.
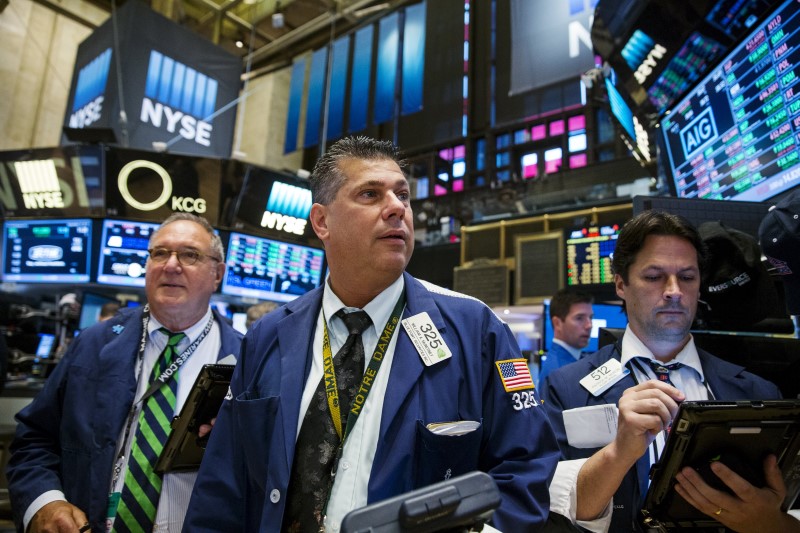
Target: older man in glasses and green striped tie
[69,467]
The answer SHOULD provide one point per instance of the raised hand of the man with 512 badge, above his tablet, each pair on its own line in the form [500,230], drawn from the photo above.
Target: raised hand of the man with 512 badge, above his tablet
[644,411]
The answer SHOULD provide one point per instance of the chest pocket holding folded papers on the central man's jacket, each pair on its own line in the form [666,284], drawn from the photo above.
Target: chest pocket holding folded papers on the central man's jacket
[441,457]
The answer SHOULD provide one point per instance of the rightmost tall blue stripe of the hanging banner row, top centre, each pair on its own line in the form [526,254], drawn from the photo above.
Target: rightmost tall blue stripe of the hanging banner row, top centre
[413,58]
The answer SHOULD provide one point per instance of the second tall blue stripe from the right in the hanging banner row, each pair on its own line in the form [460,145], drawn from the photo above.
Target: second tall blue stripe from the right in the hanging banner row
[386,73]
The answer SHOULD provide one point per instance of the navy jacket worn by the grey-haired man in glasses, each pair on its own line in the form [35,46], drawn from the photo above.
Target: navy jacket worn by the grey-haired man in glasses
[66,438]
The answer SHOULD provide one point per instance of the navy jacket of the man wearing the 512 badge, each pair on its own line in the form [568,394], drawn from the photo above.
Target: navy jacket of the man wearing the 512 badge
[561,391]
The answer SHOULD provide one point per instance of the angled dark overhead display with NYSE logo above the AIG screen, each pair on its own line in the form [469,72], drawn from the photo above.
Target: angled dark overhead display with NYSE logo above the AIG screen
[660,48]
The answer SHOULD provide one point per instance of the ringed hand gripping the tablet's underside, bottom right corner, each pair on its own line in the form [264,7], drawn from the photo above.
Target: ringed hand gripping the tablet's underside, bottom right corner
[749,508]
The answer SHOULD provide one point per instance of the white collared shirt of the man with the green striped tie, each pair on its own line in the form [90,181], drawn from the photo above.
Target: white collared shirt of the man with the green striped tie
[177,487]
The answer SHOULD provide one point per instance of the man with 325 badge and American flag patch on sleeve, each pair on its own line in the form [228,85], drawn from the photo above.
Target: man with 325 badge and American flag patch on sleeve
[452,393]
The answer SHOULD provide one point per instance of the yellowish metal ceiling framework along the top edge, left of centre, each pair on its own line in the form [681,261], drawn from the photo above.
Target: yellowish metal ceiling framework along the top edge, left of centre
[267,34]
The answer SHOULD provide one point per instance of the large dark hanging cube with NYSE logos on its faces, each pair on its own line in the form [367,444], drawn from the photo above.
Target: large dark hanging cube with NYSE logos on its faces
[170,85]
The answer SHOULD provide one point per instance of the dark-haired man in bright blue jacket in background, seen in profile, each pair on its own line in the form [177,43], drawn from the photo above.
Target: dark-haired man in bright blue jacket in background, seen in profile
[571,317]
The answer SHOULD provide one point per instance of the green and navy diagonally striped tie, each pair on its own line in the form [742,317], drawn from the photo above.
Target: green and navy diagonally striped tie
[139,498]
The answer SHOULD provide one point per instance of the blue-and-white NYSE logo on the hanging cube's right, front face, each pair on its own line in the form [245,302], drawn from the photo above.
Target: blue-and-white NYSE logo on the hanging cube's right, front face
[179,99]
